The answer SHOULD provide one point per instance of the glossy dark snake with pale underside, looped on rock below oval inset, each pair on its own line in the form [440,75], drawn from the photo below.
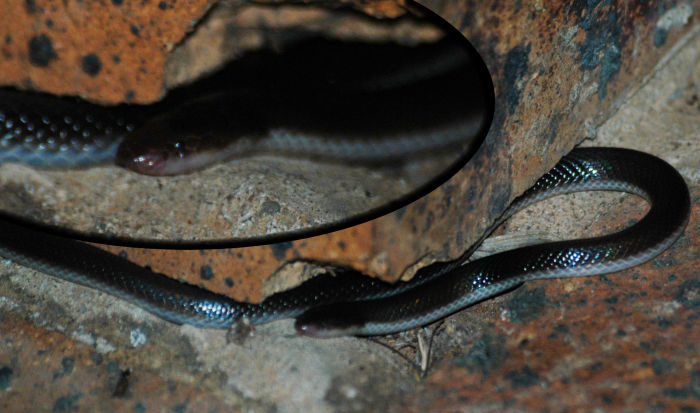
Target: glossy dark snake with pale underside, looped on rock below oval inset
[349,303]
